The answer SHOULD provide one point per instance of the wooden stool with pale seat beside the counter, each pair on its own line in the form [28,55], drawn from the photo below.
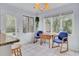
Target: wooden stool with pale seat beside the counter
[16,50]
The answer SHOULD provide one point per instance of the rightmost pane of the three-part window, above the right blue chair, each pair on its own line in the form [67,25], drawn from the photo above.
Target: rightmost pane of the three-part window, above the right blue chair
[67,23]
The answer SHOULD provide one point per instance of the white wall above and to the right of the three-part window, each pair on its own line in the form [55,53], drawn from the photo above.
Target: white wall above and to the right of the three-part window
[69,8]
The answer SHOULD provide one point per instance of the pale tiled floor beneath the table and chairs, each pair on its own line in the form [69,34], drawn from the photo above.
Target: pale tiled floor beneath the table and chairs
[44,50]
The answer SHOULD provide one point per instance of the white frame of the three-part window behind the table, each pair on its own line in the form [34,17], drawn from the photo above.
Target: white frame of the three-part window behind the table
[61,21]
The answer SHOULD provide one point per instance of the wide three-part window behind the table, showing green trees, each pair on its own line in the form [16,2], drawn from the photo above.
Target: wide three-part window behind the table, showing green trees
[59,23]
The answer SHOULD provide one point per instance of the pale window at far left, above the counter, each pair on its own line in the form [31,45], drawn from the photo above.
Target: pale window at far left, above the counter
[10,24]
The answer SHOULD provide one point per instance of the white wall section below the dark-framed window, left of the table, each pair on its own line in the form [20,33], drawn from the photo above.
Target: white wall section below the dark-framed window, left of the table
[26,38]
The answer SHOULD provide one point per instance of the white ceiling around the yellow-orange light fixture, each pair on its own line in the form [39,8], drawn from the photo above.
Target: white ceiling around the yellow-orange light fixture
[30,6]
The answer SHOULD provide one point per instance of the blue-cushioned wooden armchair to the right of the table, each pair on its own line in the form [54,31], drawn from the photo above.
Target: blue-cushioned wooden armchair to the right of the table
[60,40]
